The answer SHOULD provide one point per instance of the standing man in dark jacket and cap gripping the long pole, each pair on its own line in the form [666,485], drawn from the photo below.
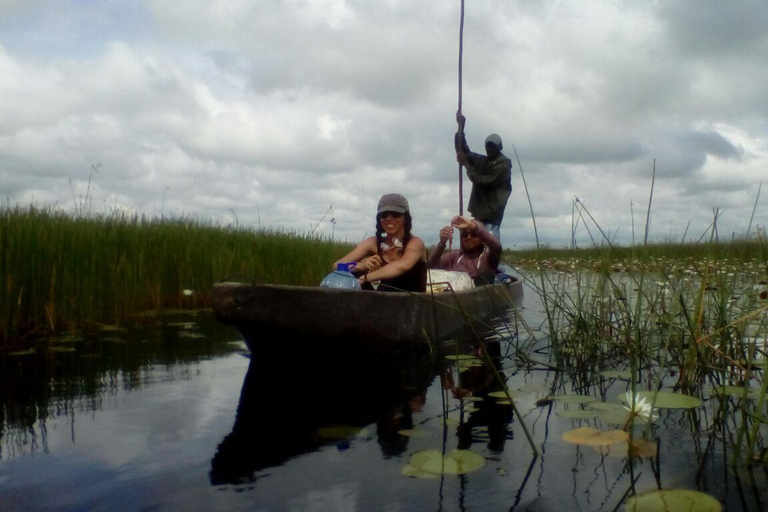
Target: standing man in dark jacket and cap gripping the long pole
[491,178]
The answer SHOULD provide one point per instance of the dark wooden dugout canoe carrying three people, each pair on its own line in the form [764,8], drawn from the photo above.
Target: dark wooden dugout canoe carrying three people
[268,315]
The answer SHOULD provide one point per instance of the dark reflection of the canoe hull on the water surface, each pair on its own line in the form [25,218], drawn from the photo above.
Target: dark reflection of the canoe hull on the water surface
[293,406]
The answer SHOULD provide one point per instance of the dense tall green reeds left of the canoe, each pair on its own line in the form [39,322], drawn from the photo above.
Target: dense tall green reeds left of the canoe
[62,271]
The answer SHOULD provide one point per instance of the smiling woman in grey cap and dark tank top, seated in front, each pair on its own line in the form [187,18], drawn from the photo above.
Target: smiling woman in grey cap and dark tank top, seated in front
[394,256]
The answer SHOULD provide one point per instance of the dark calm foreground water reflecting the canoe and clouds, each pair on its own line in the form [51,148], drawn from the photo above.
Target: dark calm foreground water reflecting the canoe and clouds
[177,417]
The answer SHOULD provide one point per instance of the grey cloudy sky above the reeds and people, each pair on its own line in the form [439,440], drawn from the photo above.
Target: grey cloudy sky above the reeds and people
[287,114]
